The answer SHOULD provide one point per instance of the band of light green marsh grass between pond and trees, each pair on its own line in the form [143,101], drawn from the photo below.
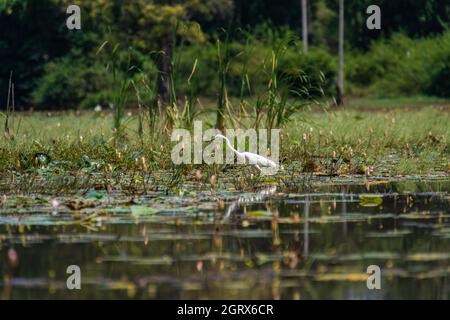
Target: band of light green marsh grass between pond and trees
[397,141]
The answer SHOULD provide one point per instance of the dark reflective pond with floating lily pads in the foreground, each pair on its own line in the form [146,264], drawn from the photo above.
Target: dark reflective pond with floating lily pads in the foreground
[231,245]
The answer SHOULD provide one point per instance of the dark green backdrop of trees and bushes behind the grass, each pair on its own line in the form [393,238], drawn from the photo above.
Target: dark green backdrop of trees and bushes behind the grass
[55,67]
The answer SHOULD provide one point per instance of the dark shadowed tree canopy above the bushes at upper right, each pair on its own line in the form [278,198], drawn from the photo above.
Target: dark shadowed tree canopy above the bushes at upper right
[414,17]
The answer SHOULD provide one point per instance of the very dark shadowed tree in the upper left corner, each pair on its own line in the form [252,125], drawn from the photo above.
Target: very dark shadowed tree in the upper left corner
[32,32]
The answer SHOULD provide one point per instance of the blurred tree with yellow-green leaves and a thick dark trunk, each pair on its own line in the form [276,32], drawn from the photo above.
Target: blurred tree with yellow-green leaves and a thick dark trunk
[154,26]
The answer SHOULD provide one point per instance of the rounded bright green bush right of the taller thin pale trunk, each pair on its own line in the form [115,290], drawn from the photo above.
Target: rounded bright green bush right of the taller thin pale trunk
[403,66]
